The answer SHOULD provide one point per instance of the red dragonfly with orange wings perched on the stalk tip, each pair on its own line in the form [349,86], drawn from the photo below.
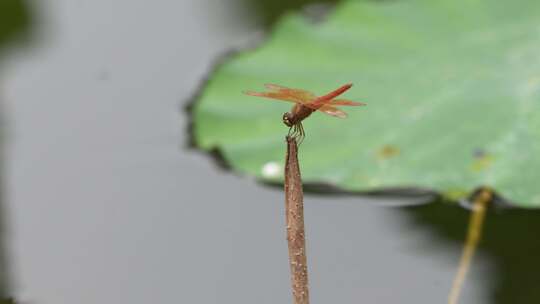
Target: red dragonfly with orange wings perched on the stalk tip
[306,103]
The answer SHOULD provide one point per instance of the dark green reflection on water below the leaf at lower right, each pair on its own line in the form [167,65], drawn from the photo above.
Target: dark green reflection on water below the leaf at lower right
[509,238]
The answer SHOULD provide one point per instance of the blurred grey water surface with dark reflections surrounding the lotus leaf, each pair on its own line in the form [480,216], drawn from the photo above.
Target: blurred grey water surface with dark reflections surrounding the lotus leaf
[103,202]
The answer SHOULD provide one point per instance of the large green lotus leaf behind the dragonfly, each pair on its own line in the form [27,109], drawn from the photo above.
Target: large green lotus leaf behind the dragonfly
[452,87]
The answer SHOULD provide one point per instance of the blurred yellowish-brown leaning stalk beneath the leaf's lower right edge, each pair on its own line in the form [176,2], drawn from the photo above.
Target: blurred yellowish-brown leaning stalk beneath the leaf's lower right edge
[480,203]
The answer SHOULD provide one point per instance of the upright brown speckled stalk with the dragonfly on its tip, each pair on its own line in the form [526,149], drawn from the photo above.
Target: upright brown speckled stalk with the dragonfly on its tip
[294,208]
